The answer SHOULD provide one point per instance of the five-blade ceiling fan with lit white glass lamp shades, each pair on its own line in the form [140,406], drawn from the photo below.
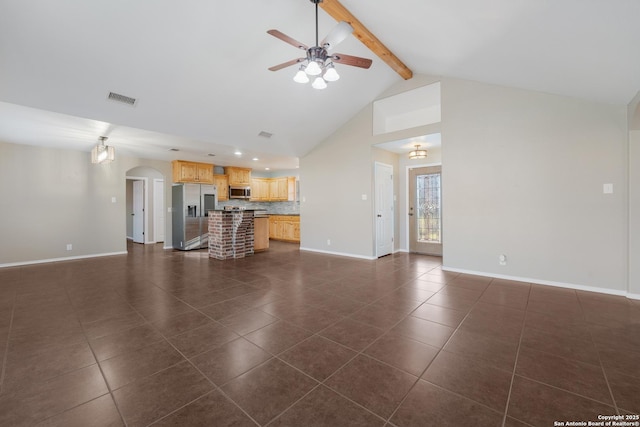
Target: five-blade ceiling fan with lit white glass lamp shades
[318,61]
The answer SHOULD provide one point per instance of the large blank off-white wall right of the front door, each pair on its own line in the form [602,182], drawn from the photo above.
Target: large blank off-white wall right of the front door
[523,175]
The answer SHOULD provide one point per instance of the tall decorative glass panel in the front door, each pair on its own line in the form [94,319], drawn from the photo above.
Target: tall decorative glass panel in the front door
[429,210]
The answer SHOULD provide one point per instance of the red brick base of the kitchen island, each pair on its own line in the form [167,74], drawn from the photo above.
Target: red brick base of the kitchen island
[230,234]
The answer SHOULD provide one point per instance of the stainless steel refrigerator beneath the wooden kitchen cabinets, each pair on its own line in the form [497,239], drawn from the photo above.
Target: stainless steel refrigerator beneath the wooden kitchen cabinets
[191,204]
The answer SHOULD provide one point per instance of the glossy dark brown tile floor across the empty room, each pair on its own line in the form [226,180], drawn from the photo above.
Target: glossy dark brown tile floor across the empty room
[290,338]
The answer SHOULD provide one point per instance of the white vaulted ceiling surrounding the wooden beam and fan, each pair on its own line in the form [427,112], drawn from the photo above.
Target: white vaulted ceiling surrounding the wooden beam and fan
[198,68]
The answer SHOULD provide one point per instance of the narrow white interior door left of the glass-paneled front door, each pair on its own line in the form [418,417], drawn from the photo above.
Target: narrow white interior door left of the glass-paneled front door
[383,206]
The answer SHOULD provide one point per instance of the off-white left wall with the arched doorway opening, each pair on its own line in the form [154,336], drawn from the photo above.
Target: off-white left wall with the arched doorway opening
[50,198]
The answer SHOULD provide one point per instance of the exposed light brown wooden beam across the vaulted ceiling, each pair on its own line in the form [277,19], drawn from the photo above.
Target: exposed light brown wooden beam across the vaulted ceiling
[340,13]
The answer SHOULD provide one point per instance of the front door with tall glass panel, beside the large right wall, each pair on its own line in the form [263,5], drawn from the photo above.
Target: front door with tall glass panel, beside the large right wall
[425,210]
